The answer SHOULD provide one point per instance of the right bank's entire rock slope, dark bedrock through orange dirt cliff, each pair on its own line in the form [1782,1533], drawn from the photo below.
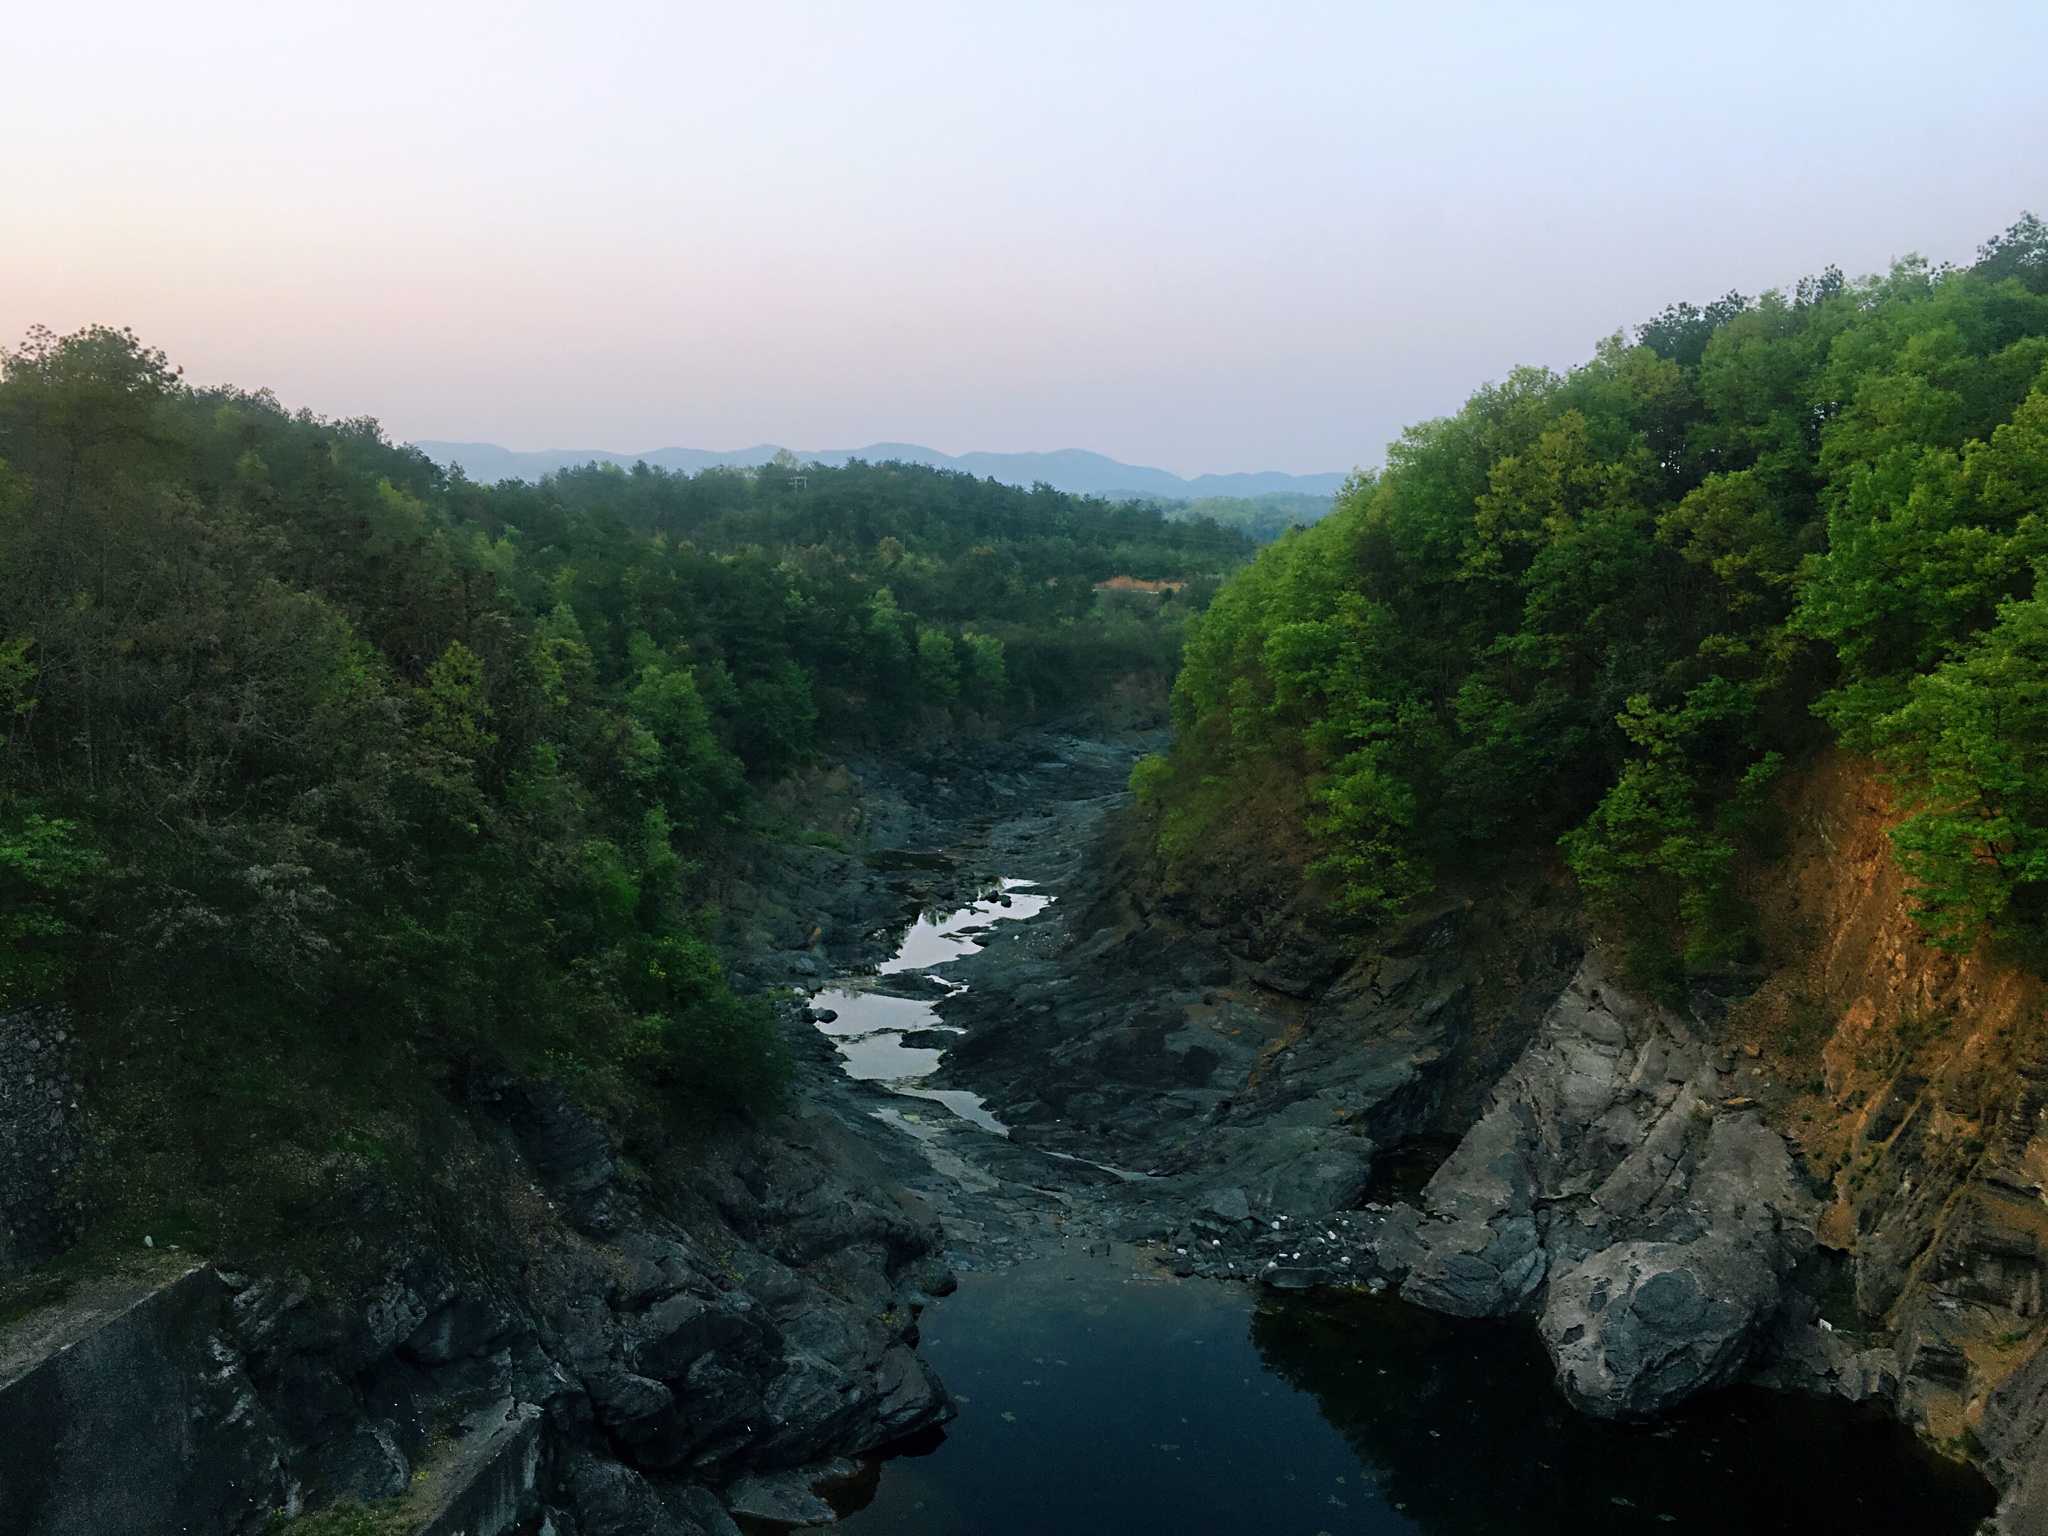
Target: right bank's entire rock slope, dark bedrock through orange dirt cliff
[1816,1175]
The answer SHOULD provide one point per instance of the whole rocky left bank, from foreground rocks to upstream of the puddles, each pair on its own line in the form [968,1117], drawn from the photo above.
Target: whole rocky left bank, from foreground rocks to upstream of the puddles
[617,1332]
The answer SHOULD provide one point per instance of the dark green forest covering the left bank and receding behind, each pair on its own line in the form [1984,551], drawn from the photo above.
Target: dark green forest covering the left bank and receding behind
[310,749]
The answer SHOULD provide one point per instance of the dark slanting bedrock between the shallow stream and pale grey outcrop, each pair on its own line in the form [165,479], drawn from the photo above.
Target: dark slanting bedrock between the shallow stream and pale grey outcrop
[1148,1043]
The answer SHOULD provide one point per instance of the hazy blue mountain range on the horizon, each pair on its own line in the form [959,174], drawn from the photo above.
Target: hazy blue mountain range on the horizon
[1070,470]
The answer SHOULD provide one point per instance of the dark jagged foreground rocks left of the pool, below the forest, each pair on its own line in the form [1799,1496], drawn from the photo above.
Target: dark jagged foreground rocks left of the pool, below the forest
[761,1326]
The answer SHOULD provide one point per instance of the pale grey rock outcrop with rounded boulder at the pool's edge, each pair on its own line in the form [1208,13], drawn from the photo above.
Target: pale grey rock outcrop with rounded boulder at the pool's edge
[1613,1191]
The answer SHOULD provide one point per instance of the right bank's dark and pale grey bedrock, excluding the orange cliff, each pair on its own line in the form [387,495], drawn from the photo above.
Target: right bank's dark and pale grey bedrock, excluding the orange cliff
[1611,1175]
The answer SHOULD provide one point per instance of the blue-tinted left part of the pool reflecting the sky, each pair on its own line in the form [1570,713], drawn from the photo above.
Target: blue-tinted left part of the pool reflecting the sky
[1101,1400]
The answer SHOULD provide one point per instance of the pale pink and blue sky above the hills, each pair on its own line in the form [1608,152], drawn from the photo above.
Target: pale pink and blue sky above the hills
[1207,239]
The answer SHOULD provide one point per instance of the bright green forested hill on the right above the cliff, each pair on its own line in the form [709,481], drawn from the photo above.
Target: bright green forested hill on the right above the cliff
[1605,611]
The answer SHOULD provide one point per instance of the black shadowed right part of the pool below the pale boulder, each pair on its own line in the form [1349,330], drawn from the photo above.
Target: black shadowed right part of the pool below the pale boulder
[1467,1437]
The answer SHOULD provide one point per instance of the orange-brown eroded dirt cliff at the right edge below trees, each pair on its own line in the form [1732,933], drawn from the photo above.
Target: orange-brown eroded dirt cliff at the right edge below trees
[1916,1084]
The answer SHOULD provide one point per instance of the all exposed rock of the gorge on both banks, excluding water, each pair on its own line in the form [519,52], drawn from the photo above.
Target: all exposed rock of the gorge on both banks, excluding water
[1787,1177]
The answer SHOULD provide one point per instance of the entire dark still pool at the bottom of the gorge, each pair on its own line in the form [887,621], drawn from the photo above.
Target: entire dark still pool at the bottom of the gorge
[1105,1400]
